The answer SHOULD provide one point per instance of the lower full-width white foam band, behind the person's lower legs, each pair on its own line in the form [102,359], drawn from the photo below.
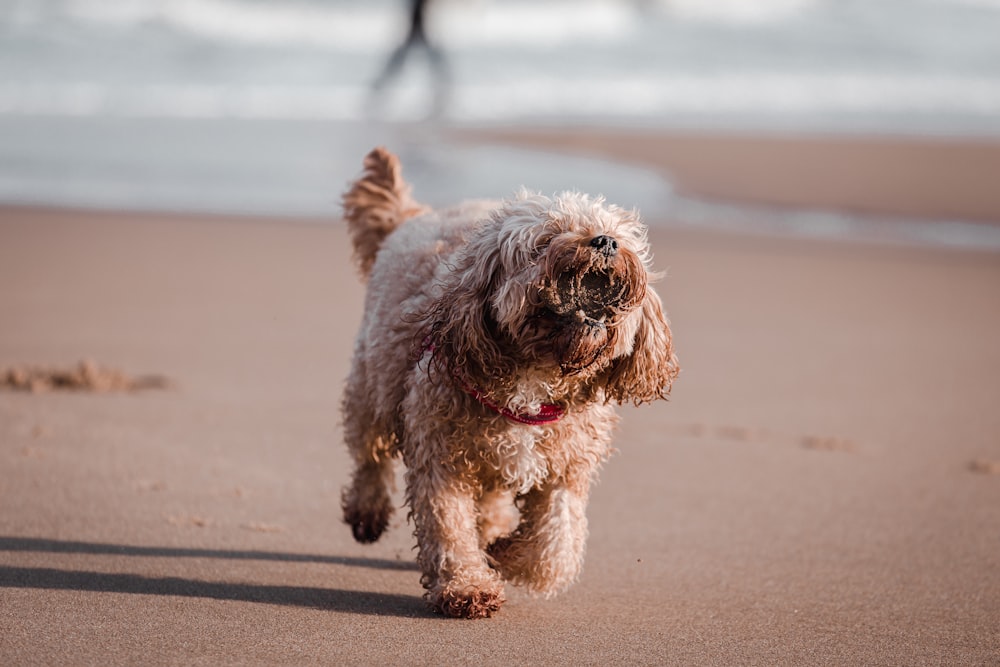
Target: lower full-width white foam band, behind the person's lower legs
[777,95]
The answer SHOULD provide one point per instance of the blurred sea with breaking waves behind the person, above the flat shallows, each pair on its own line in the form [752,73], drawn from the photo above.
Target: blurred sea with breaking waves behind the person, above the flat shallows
[911,65]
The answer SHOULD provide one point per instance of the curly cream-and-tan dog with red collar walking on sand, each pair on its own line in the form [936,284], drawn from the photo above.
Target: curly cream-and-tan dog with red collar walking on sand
[495,340]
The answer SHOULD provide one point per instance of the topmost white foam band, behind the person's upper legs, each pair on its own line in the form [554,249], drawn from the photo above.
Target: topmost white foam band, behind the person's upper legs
[365,27]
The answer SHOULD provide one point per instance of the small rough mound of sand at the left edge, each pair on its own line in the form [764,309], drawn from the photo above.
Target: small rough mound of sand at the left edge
[86,376]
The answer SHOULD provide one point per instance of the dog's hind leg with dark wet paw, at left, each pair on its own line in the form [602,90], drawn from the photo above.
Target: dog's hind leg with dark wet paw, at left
[366,501]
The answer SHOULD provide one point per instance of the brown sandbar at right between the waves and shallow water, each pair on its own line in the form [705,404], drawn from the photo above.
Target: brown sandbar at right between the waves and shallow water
[934,177]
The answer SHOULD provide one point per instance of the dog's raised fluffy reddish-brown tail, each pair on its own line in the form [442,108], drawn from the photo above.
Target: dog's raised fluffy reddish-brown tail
[377,204]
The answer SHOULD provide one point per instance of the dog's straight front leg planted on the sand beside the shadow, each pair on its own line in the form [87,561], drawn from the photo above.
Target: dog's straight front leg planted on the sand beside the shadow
[458,580]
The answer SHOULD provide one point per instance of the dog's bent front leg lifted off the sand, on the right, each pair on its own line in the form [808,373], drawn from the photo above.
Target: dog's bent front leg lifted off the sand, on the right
[546,552]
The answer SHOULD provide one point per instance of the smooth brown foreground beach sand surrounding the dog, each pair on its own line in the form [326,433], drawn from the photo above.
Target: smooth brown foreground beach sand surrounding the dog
[821,489]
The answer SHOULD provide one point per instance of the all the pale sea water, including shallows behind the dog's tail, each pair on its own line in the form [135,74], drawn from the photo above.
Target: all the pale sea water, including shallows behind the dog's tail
[266,106]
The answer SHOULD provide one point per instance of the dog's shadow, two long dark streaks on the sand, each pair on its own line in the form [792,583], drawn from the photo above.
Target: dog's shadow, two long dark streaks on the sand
[331,599]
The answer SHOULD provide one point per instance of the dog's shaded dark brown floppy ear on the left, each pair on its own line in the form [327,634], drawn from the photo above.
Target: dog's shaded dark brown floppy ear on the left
[459,326]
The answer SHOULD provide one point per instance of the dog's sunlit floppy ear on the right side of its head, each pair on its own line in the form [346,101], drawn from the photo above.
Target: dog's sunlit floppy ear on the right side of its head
[649,371]
